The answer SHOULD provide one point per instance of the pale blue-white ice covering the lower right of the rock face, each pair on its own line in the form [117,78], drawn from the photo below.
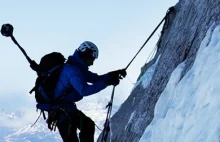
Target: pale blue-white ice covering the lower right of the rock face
[189,109]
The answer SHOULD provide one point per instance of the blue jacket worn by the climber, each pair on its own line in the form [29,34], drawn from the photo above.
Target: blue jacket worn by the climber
[74,78]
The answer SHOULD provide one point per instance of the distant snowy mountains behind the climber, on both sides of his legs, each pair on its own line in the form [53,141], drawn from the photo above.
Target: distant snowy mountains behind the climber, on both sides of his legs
[93,107]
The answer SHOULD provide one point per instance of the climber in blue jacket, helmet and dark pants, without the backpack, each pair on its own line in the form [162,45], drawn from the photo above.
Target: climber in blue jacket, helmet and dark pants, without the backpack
[72,86]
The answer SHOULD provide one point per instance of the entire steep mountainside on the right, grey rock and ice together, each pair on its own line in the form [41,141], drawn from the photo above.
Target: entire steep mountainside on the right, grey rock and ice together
[177,96]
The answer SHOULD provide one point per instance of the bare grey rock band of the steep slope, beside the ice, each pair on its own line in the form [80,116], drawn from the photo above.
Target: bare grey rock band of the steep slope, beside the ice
[180,40]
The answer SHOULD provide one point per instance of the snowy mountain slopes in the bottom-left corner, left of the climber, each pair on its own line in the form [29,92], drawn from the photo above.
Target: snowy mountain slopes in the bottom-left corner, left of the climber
[13,133]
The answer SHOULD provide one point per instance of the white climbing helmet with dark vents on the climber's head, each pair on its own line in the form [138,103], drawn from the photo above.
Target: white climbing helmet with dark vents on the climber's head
[89,45]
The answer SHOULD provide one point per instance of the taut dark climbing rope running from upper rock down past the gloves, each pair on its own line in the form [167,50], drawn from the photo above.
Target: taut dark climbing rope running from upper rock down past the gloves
[109,106]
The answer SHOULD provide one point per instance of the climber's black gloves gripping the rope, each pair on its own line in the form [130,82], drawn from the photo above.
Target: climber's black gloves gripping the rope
[115,76]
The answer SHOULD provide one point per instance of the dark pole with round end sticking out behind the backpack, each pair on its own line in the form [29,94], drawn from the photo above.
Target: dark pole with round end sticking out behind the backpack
[7,31]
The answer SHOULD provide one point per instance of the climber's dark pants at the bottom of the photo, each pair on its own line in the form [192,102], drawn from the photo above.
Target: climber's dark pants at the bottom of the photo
[78,120]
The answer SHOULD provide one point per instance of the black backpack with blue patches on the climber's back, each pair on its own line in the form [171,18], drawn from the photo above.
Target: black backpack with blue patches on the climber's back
[48,73]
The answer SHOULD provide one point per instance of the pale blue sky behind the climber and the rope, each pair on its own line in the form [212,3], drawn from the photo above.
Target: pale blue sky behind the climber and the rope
[118,28]
